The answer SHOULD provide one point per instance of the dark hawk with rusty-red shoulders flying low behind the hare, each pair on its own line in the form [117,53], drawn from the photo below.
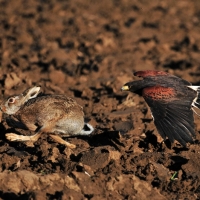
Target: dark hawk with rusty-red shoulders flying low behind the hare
[170,99]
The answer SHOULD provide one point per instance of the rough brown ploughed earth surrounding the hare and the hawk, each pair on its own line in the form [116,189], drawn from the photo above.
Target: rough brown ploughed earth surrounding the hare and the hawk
[88,50]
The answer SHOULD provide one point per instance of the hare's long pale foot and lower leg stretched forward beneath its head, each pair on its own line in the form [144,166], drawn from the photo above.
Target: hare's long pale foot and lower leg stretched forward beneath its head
[22,138]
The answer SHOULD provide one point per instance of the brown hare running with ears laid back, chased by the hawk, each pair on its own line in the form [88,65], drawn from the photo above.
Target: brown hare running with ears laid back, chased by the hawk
[57,115]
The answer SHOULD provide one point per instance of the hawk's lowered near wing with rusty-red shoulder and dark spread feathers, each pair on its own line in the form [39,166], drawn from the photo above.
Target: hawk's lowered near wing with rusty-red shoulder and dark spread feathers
[172,115]
